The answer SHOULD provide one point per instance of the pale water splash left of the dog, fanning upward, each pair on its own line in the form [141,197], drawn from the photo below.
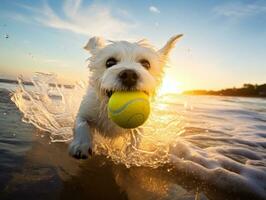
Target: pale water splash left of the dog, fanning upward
[49,106]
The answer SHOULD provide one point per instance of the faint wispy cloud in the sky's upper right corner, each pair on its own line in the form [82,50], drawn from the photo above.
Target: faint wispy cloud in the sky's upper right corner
[239,10]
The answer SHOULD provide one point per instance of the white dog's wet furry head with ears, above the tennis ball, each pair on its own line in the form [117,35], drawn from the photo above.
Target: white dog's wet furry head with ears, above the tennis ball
[124,66]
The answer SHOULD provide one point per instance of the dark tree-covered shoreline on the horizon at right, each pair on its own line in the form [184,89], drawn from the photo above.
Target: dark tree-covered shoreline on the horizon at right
[248,90]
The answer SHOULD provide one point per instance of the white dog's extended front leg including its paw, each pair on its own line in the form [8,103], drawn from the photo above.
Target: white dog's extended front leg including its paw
[81,145]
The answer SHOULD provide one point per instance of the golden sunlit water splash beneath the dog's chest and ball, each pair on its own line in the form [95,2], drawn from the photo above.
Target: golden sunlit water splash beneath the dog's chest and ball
[145,146]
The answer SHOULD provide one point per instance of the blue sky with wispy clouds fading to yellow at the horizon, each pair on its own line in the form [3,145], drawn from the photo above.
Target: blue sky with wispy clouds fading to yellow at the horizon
[224,42]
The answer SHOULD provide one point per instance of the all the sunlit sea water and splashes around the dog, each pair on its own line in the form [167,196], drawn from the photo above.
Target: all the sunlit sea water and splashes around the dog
[192,147]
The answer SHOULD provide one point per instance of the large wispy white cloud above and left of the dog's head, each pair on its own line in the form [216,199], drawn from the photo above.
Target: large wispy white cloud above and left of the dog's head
[94,19]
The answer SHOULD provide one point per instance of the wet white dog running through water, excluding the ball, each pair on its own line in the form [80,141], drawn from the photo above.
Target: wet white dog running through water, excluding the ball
[118,66]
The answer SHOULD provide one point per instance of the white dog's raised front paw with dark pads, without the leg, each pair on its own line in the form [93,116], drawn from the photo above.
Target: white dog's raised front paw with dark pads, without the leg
[80,150]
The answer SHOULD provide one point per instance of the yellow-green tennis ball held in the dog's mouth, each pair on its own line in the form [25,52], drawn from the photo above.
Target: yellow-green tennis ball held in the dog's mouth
[129,109]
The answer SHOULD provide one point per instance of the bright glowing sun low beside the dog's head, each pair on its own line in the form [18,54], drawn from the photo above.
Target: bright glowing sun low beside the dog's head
[169,85]
